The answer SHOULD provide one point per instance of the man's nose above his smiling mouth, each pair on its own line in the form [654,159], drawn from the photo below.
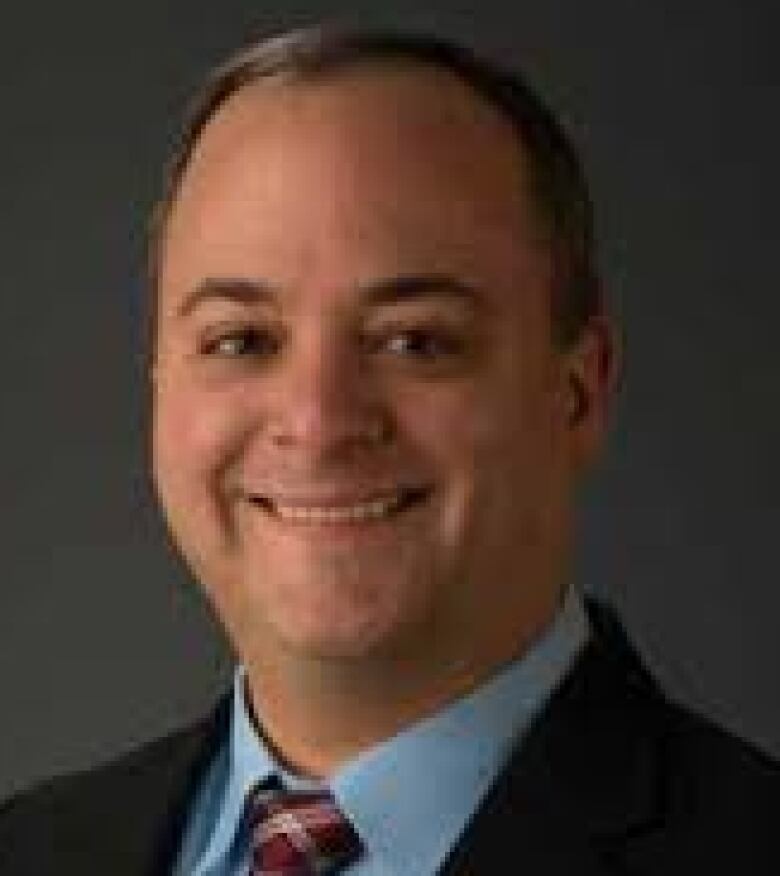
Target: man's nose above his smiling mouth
[326,403]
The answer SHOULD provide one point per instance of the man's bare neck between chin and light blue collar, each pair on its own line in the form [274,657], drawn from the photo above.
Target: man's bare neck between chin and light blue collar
[318,713]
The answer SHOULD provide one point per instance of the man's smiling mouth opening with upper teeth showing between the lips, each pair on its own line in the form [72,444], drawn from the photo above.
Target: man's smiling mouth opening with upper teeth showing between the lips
[374,509]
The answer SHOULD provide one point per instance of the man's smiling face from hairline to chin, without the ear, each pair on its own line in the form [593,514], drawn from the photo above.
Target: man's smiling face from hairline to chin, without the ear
[362,439]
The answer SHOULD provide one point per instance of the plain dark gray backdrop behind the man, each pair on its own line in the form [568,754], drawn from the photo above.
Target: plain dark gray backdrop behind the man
[104,641]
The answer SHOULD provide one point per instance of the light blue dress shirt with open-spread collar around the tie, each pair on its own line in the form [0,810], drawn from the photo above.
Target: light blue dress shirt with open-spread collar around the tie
[411,796]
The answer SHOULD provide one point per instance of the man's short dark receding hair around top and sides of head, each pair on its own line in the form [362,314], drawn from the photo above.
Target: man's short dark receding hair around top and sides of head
[558,182]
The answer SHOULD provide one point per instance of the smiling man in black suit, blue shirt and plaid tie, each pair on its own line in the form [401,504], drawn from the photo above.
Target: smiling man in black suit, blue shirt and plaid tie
[380,365]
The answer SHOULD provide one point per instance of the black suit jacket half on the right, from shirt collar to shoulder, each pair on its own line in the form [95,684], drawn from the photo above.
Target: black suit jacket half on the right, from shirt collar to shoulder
[614,777]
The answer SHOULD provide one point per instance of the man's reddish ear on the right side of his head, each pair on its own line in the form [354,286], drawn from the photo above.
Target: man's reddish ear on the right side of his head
[593,367]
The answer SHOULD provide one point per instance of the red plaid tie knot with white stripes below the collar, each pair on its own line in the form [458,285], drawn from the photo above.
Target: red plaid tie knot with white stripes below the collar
[299,834]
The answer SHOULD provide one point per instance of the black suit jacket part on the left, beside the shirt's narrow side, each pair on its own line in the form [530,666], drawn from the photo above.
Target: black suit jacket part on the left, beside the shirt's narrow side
[128,810]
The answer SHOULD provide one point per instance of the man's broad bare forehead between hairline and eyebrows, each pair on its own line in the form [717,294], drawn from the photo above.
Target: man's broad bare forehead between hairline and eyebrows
[372,165]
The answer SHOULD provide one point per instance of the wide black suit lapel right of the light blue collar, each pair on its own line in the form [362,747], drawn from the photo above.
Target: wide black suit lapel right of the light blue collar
[584,784]
